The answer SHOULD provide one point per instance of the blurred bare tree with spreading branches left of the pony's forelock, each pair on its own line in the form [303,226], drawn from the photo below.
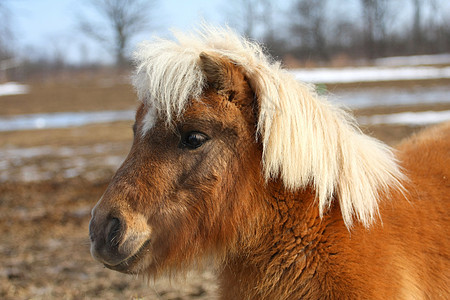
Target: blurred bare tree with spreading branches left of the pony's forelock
[121,20]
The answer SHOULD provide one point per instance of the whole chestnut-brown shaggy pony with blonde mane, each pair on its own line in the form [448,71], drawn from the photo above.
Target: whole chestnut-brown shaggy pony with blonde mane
[236,163]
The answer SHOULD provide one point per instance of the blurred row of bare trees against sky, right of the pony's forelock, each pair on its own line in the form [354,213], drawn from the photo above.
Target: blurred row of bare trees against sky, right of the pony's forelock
[325,29]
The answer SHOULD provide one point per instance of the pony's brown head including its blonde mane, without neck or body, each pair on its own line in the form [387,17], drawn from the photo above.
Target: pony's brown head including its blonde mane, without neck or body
[218,121]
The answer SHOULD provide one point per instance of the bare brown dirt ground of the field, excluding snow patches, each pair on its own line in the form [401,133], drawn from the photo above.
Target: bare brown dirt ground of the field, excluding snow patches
[44,248]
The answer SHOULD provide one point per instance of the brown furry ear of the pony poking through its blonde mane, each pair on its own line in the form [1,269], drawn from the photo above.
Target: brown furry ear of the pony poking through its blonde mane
[221,75]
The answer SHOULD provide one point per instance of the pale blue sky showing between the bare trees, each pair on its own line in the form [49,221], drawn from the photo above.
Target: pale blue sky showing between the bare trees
[46,28]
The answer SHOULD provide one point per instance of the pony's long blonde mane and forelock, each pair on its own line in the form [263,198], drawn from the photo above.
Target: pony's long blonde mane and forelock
[305,139]
